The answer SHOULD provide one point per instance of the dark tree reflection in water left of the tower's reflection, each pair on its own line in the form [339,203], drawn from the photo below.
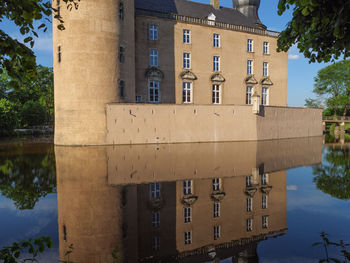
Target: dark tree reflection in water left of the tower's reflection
[25,178]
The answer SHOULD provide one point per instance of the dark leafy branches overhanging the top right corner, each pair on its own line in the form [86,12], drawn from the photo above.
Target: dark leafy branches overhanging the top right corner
[320,28]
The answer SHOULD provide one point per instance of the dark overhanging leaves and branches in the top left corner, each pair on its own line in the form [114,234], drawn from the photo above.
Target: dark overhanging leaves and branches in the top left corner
[16,57]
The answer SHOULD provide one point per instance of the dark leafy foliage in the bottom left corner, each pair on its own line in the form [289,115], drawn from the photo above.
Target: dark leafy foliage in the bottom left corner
[32,246]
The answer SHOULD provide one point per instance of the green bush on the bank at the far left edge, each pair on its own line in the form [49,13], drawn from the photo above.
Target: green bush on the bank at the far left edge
[8,116]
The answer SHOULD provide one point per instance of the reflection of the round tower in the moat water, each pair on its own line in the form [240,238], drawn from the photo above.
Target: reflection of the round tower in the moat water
[89,211]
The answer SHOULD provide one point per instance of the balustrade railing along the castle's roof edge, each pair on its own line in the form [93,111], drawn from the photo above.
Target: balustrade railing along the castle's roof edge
[207,22]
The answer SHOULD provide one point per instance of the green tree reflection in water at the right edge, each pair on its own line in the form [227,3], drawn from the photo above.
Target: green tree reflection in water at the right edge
[333,176]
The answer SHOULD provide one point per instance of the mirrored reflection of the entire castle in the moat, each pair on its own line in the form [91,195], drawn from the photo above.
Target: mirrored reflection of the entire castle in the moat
[105,203]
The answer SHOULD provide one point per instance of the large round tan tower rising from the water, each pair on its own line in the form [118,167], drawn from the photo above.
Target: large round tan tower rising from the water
[90,69]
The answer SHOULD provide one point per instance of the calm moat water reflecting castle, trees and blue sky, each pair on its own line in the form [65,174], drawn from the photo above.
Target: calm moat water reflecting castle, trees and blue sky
[216,202]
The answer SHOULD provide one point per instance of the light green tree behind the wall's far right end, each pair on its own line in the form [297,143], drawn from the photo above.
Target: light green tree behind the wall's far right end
[333,83]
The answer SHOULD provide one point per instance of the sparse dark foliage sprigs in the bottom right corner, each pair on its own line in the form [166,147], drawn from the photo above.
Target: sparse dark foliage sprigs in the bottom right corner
[326,243]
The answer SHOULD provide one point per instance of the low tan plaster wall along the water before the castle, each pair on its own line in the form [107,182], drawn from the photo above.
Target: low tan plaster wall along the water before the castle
[139,124]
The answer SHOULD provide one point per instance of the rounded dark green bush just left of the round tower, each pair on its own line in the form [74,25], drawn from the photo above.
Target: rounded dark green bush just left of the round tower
[33,113]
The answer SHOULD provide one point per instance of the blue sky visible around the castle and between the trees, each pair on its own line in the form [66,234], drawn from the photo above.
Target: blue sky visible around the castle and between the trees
[301,73]
